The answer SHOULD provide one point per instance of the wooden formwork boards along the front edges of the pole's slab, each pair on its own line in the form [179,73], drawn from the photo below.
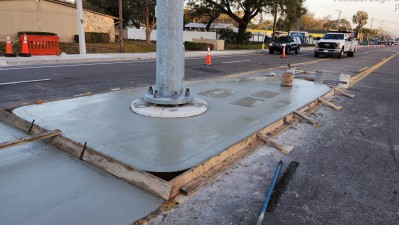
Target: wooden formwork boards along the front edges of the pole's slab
[186,182]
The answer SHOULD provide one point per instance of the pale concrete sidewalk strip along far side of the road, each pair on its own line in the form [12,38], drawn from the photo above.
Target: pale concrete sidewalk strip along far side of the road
[107,57]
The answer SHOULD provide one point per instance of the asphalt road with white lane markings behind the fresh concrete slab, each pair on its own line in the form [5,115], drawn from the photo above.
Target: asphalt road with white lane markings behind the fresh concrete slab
[66,81]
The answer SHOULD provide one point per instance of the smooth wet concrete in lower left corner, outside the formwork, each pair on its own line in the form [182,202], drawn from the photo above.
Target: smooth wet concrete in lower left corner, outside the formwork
[40,184]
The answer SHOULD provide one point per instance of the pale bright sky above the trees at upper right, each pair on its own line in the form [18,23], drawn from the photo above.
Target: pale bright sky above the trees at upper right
[383,11]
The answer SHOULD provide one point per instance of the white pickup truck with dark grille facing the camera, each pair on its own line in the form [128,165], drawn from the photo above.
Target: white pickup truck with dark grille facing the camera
[336,44]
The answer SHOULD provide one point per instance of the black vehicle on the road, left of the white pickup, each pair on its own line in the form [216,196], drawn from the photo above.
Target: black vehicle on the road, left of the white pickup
[291,44]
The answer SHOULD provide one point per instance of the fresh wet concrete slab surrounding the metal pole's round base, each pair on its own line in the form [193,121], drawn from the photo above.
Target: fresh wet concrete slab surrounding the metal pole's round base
[106,123]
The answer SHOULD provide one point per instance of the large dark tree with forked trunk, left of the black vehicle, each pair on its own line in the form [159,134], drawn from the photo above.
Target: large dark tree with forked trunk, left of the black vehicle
[249,9]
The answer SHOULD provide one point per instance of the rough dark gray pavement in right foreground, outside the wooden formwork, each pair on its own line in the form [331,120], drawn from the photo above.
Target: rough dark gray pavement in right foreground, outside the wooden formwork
[348,168]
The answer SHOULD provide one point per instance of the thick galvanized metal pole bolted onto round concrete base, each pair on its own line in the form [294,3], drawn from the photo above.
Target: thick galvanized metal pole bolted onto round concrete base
[170,56]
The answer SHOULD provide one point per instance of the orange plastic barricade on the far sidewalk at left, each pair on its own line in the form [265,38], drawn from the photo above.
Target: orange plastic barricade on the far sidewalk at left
[42,45]
